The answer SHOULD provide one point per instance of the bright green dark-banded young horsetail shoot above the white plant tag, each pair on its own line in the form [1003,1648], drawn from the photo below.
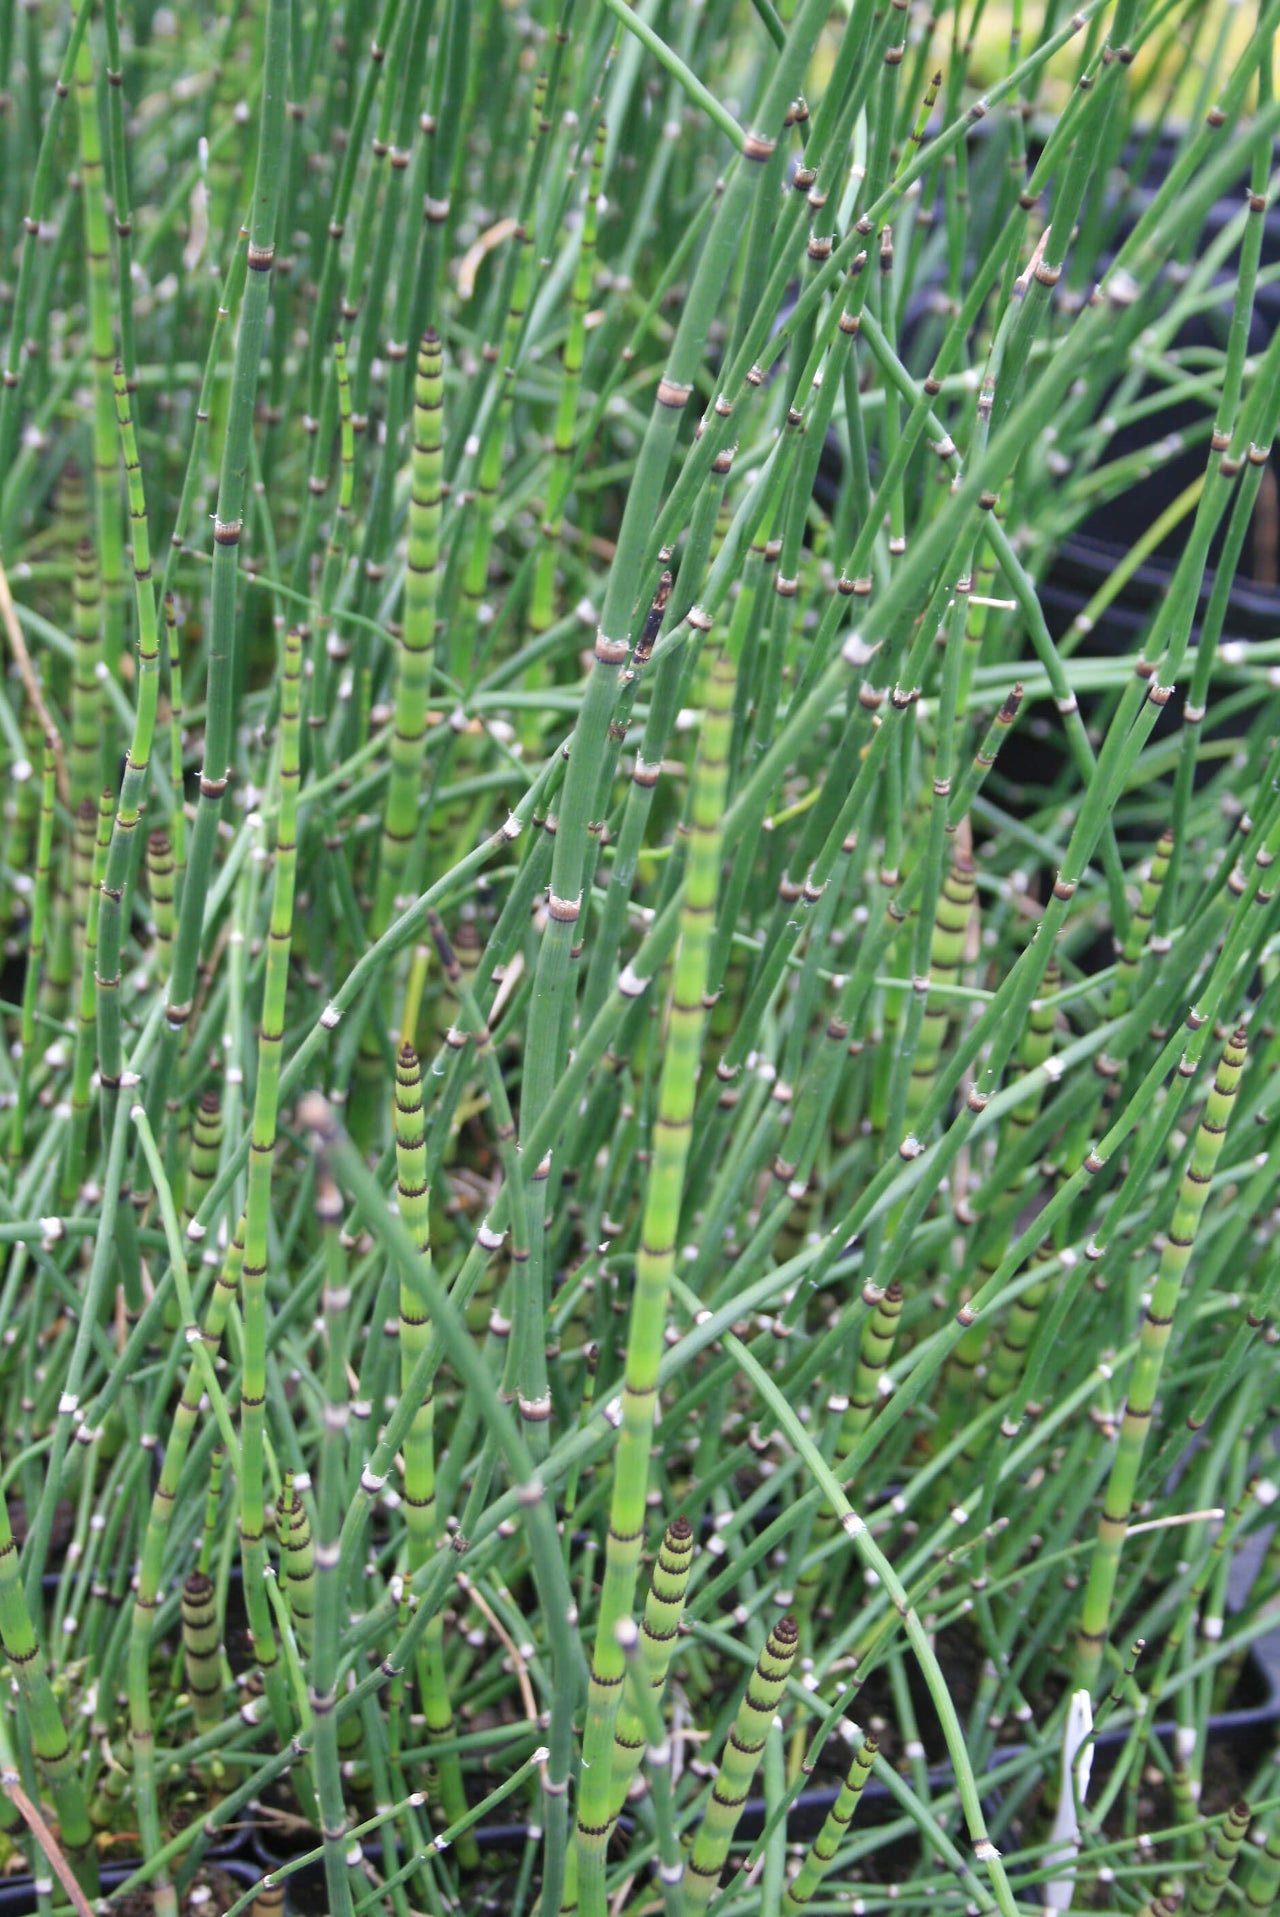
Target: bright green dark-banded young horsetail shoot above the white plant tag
[1145,1383]
